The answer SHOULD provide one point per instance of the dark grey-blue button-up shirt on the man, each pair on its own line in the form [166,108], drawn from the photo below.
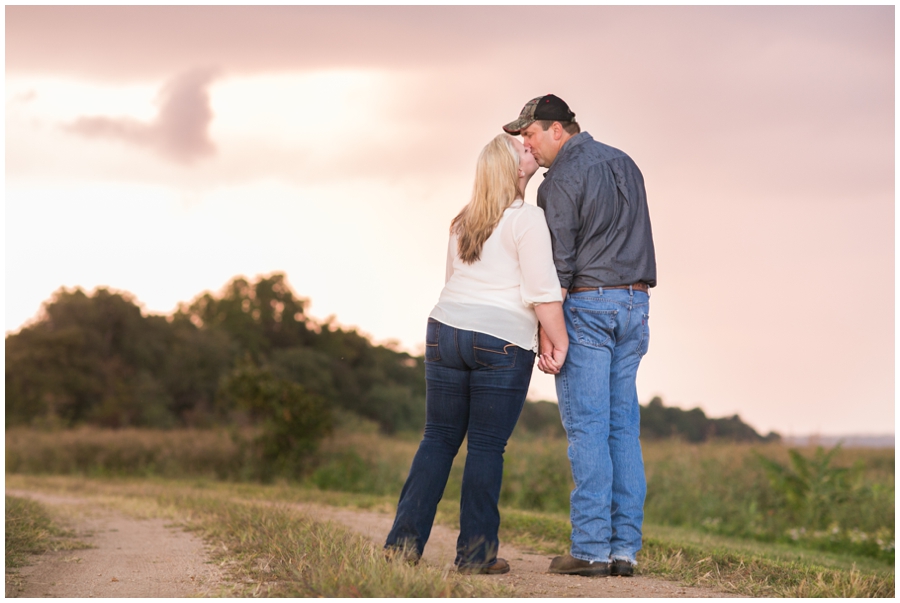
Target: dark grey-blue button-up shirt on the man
[596,207]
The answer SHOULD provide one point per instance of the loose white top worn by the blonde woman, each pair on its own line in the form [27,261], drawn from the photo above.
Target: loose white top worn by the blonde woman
[497,294]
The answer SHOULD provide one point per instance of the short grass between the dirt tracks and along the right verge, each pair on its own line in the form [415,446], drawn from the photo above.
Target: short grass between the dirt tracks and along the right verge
[257,535]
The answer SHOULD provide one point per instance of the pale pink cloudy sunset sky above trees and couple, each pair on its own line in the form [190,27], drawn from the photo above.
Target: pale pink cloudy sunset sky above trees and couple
[163,151]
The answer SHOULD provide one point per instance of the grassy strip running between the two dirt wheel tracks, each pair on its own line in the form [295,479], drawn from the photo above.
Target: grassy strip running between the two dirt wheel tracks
[271,551]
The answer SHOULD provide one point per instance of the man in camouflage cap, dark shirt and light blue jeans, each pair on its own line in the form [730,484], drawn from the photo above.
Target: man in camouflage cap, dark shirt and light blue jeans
[594,201]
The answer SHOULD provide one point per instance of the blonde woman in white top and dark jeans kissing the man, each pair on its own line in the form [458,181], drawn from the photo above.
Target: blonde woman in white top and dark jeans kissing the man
[479,353]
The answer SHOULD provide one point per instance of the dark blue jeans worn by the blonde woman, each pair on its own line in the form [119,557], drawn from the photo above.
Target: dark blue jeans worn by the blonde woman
[475,387]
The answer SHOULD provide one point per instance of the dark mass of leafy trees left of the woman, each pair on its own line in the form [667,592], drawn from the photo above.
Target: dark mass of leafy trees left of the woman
[219,359]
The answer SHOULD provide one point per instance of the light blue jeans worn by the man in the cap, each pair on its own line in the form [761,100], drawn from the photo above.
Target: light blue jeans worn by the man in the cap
[608,335]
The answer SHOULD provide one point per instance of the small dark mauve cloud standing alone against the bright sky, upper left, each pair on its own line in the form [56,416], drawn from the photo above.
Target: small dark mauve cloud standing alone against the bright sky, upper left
[180,131]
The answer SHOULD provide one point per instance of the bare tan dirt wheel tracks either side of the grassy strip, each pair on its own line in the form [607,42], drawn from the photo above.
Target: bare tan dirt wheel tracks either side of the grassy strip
[144,558]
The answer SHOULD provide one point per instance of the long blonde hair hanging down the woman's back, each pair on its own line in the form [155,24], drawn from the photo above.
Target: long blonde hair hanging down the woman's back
[496,188]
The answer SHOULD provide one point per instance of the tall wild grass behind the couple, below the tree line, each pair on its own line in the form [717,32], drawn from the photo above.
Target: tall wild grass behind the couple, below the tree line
[717,487]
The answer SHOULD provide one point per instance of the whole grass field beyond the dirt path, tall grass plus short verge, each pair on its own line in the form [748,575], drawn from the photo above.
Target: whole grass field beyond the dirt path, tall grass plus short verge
[716,514]
